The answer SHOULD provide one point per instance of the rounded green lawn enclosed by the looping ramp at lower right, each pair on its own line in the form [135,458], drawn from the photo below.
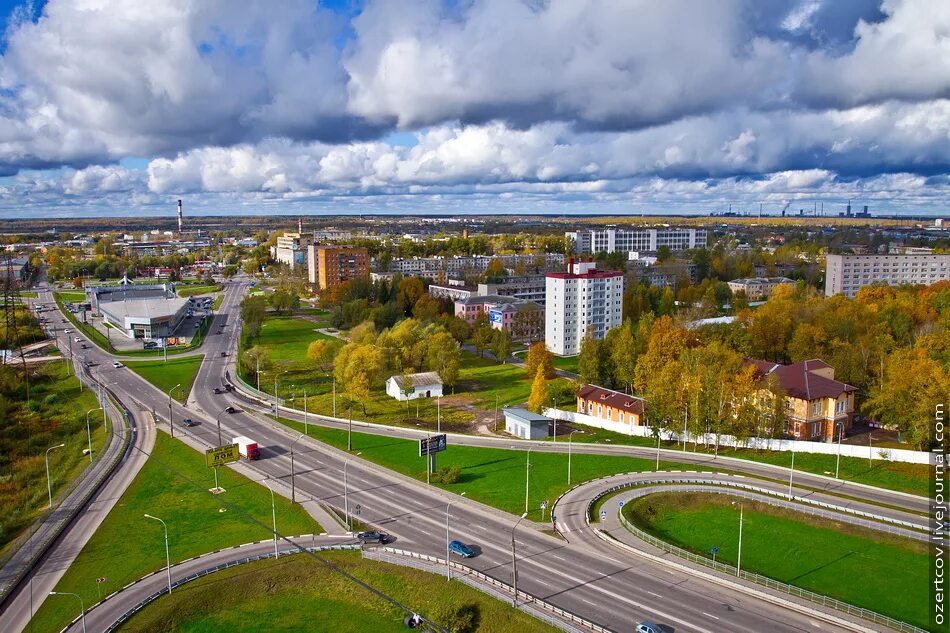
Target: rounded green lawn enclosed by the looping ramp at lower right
[862,567]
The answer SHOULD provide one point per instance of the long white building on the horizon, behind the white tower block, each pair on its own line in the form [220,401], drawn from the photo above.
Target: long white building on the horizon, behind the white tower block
[640,240]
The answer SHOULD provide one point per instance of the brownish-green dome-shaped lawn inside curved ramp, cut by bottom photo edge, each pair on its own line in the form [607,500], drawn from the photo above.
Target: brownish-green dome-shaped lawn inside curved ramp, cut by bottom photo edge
[298,593]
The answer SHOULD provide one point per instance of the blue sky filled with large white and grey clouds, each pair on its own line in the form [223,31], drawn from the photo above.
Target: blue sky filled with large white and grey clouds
[121,107]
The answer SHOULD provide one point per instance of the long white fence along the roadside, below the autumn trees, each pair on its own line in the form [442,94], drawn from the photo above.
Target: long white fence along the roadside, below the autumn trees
[847,450]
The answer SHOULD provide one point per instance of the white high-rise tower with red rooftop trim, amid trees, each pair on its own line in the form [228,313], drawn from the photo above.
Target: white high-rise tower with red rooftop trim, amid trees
[583,301]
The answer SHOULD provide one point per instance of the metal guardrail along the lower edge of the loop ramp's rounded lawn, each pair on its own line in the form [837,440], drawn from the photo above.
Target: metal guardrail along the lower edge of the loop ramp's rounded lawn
[758,579]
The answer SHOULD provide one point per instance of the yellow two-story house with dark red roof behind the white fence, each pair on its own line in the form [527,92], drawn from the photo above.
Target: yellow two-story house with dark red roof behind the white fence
[815,403]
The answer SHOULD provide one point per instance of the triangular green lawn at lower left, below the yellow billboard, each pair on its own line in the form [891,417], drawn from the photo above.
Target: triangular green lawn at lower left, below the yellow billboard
[173,486]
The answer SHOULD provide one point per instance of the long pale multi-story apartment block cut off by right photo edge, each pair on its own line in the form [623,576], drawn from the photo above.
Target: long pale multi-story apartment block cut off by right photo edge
[846,274]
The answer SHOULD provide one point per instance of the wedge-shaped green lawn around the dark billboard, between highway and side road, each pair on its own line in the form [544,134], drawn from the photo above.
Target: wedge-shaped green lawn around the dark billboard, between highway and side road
[491,475]
